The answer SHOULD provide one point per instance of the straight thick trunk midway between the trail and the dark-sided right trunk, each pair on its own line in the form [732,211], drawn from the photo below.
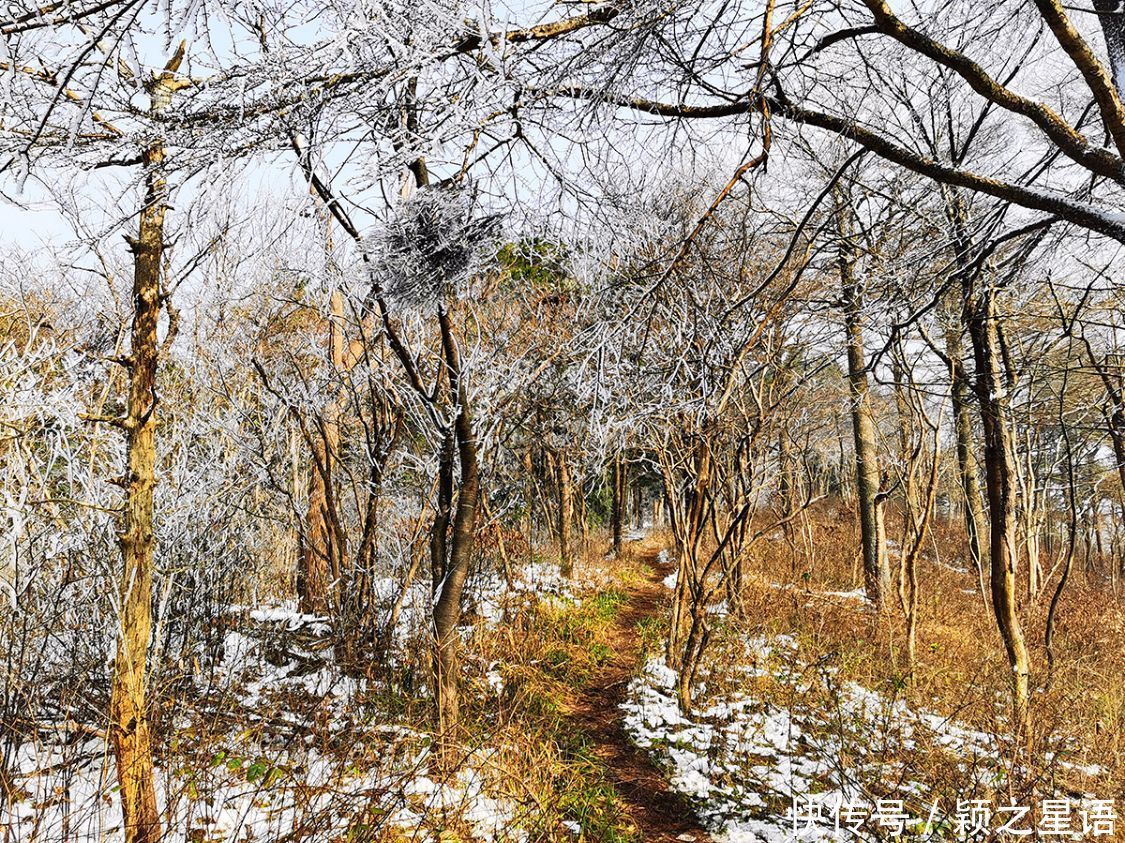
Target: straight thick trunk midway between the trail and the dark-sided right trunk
[876,568]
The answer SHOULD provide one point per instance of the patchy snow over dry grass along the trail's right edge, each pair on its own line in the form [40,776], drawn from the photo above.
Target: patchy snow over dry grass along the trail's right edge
[743,760]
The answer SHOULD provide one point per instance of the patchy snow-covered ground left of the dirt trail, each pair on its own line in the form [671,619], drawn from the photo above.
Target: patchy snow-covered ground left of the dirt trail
[274,676]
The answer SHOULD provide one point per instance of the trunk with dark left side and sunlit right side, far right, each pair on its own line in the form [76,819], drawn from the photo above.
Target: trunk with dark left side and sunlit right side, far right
[1000,479]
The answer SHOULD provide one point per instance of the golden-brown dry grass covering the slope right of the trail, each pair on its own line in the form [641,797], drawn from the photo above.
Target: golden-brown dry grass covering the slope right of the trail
[961,670]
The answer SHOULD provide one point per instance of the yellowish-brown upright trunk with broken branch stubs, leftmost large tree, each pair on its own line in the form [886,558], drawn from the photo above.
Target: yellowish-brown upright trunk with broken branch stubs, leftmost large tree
[130,730]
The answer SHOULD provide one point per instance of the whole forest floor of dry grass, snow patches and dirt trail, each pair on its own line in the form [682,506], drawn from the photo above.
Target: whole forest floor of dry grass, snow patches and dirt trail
[575,734]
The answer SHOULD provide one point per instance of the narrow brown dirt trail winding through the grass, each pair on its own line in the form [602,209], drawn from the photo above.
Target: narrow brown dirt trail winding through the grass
[661,814]
